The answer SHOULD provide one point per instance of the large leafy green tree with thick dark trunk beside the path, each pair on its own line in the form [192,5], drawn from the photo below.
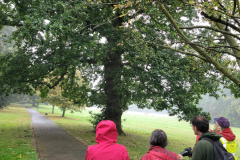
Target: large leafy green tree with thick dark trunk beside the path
[54,39]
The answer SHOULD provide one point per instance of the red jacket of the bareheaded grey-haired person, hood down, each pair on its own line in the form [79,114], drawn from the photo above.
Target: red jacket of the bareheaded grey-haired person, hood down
[159,153]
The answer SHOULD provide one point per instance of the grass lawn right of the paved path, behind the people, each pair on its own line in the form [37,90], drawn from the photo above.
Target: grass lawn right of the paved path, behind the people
[138,129]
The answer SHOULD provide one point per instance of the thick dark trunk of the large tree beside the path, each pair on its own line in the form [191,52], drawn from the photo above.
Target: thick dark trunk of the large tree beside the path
[112,74]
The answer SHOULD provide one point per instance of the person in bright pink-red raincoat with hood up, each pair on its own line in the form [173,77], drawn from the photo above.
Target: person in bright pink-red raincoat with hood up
[107,148]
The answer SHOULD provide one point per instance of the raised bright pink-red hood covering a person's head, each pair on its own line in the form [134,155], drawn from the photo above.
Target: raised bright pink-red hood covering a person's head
[106,131]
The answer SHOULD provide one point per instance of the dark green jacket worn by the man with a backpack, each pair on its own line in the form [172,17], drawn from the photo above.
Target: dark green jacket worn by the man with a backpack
[203,149]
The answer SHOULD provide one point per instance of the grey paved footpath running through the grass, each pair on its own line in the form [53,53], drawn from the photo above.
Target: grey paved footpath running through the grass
[53,143]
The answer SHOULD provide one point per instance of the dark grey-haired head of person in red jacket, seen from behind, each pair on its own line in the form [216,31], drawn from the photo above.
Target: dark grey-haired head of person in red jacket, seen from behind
[158,138]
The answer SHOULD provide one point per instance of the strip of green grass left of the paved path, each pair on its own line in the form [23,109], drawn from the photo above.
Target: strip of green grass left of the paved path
[16,141]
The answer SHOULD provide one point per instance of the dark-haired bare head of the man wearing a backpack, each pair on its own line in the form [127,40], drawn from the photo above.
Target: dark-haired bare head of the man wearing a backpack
[200,124]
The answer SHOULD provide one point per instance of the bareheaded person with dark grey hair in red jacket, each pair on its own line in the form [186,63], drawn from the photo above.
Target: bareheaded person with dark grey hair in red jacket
[157,151]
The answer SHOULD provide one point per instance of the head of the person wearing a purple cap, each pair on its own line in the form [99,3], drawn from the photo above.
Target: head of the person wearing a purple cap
[220,124]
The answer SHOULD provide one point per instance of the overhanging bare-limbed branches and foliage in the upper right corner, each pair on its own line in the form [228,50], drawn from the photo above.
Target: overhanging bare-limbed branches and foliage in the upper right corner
[213,42]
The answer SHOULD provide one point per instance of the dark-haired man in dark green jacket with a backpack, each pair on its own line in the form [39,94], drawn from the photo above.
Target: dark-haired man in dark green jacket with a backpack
[203,149]
